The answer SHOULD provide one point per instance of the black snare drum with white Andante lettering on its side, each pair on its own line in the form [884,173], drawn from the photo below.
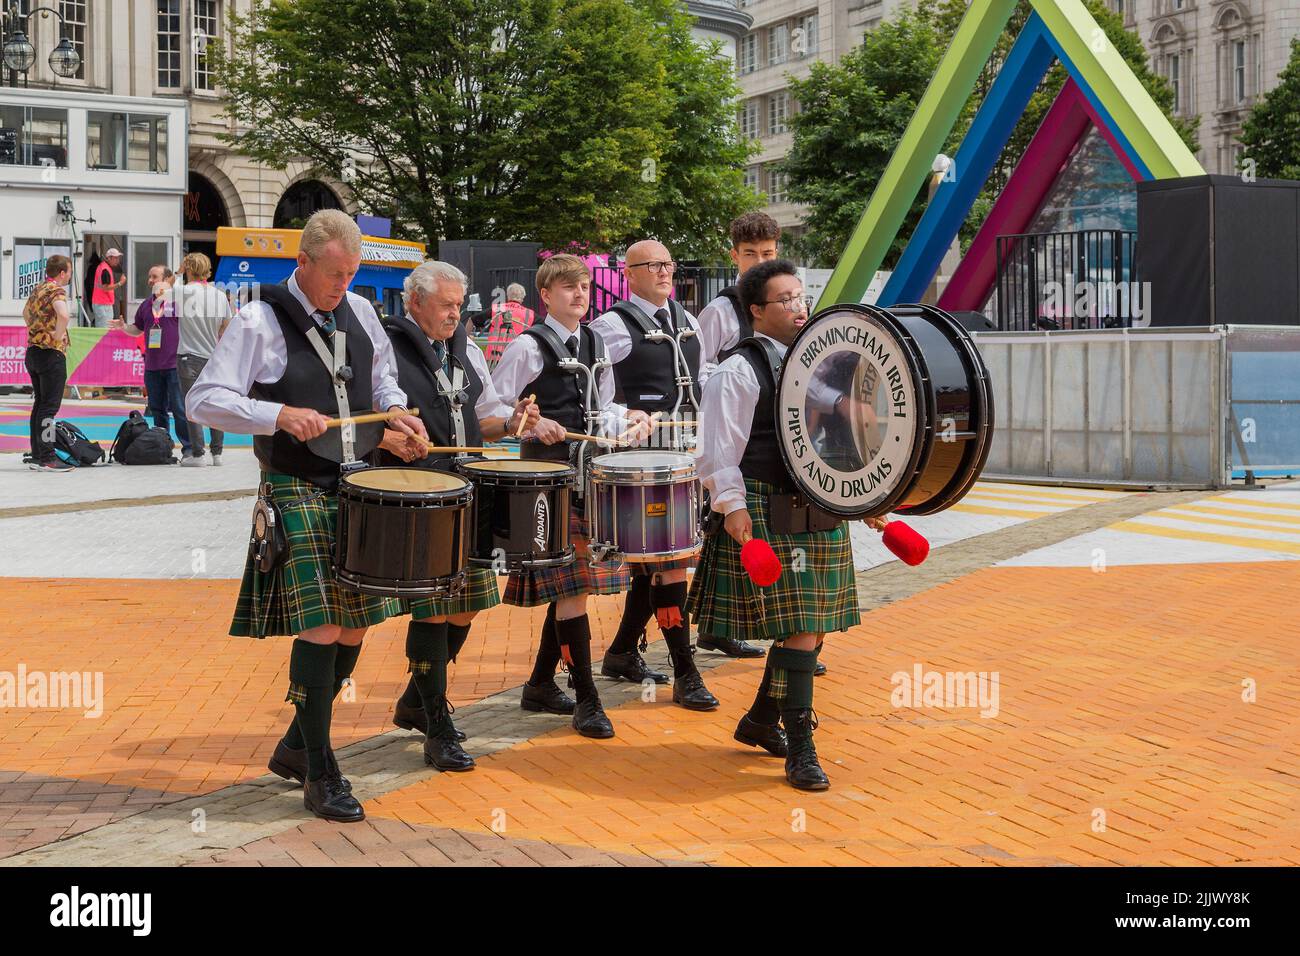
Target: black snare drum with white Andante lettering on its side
[522,513]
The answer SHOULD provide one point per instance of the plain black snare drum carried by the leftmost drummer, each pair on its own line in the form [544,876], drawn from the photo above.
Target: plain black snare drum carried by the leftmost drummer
[402,533]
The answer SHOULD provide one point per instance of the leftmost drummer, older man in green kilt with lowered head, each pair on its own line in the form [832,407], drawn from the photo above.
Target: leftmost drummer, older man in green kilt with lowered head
[305,352]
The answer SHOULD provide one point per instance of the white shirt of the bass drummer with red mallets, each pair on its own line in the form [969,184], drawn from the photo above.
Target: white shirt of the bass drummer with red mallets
[726,419]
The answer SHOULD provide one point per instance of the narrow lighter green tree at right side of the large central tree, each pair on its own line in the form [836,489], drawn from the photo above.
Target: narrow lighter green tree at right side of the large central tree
[700,179]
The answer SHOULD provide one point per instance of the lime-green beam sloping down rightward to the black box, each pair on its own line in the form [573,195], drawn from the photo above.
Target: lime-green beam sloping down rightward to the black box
[1119,89]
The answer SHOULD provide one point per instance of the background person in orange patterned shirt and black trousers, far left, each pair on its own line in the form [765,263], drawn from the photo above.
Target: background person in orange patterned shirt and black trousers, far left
[46,315]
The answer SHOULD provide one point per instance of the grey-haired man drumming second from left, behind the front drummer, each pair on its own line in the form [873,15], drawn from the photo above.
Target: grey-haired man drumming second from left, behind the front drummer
[445,377]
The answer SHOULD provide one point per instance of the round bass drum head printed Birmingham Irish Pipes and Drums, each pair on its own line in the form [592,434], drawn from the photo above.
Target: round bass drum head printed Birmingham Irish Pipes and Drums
[853,412]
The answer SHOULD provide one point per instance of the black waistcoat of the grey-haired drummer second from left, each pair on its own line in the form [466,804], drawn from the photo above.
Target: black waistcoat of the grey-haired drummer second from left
[417,362]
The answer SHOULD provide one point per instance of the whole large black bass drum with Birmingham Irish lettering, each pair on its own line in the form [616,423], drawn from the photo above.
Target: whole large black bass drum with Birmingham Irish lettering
[885,410]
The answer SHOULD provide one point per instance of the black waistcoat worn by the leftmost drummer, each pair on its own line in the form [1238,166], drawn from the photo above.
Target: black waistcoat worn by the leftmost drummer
[307,384]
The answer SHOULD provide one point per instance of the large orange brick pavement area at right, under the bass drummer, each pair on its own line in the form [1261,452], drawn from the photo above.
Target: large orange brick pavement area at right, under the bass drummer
[1123,738]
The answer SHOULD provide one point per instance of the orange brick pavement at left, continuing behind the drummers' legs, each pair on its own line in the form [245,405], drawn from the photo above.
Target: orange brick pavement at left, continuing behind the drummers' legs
[188,710]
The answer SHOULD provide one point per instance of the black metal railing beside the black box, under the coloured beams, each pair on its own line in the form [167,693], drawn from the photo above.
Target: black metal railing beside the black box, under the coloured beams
[1085,280]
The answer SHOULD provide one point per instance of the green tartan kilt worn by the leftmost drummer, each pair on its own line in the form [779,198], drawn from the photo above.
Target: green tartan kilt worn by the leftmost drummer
[302,592]
